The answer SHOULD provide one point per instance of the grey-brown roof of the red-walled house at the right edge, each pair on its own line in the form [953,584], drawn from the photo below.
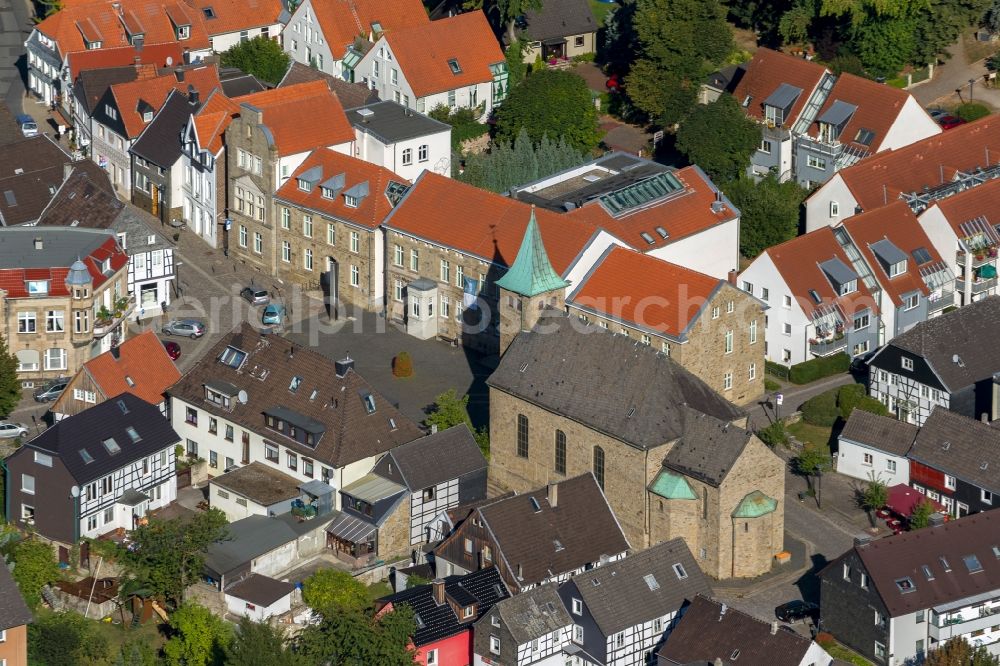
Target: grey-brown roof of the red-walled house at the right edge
[962,447]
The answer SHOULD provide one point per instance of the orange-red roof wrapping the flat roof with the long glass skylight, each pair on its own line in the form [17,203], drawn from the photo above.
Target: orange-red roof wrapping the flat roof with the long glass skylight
[681,216]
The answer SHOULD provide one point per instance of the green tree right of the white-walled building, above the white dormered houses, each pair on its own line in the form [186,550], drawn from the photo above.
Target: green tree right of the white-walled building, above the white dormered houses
[769,211]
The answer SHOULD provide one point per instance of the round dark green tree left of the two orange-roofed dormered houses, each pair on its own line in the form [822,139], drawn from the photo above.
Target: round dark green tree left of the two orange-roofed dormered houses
[719,138]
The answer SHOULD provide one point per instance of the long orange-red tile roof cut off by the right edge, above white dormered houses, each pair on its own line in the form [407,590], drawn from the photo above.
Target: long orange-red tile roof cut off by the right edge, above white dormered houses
[880,179]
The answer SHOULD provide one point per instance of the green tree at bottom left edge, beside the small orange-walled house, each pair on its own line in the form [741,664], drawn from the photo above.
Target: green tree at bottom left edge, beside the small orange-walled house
[65,639]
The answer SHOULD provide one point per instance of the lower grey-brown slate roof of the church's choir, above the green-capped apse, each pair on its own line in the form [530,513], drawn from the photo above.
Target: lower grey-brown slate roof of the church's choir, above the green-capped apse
[708,448]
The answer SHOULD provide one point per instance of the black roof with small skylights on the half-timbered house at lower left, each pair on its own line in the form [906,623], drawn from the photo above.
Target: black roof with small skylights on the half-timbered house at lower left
[109,419]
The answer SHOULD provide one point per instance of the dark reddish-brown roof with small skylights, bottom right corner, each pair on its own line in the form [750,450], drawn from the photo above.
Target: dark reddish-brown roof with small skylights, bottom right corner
[904,555]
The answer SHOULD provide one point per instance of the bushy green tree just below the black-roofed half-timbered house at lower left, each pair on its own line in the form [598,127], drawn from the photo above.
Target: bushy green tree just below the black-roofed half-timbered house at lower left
[170,554]
